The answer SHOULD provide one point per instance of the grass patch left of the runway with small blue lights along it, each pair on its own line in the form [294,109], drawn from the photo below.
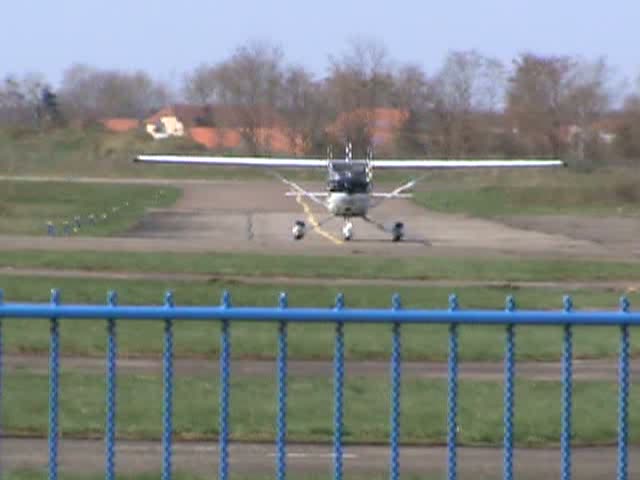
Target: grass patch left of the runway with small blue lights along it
[26,207]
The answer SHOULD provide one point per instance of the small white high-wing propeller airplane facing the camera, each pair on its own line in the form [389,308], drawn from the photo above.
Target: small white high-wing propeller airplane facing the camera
[349,191]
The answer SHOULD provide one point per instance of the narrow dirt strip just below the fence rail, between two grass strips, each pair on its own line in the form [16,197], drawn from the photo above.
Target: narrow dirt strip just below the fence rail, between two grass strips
[487,371]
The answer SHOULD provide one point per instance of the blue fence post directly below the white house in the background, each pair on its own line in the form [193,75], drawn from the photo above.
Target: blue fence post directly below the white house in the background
[167,390]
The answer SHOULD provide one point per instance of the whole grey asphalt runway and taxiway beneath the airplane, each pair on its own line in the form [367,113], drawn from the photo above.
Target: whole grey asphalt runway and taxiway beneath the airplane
[256,216]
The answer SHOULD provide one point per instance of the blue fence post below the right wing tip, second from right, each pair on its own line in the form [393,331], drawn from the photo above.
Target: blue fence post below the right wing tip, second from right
[567,388]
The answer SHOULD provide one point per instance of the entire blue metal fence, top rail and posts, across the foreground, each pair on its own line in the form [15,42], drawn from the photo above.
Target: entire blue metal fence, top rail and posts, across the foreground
[340,316]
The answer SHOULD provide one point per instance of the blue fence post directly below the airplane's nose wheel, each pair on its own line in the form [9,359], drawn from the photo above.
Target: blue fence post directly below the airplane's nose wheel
[338,392]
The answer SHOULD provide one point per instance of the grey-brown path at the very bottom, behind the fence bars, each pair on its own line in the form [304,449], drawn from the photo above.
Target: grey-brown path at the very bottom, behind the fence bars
[87,456]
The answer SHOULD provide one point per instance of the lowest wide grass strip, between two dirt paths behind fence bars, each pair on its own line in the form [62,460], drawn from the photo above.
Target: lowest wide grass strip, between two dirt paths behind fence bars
[366,409]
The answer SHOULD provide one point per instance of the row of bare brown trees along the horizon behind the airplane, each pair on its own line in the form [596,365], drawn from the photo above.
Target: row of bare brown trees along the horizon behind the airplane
[473,104]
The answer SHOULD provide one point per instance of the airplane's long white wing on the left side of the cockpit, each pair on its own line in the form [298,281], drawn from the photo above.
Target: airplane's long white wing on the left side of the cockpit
[235,161]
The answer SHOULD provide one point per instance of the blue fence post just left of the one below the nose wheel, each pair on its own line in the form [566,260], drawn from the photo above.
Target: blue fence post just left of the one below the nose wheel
[282,395]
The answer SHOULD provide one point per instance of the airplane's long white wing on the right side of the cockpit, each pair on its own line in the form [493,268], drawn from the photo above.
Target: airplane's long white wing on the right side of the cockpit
[444,164]
